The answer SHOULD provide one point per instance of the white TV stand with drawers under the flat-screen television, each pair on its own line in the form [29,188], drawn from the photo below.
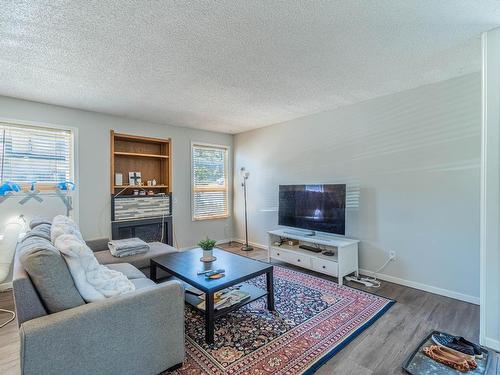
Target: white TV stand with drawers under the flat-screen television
[342,263]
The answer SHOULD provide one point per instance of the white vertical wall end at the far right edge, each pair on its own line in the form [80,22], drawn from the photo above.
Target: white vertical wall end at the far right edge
[490,192]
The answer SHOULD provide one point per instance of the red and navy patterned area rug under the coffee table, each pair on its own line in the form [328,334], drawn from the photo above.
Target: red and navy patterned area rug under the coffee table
[314,319]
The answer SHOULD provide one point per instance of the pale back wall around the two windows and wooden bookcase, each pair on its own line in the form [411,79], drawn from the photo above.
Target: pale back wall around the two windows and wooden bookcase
[93,165]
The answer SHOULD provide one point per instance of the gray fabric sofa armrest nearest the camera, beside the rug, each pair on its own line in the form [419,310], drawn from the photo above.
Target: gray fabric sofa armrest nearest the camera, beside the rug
[137,333]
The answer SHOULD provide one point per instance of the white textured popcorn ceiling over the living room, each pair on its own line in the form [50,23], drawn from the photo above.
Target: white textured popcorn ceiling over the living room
[233,65]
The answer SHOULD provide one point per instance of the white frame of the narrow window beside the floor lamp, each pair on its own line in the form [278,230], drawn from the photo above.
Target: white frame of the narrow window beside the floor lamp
[211,189]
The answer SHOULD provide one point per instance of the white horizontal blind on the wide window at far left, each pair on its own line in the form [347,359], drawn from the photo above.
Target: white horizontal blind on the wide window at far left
[34,154]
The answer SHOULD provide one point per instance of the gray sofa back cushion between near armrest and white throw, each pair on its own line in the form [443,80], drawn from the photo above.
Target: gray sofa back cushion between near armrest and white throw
[49,273]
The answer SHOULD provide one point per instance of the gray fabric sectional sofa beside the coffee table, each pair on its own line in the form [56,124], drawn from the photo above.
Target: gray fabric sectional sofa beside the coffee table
[141,332]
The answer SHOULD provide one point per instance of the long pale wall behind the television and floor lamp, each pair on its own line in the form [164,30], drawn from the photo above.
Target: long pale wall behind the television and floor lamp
[411,161]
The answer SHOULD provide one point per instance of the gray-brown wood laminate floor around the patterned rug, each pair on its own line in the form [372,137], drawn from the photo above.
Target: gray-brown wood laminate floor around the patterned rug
[380,349]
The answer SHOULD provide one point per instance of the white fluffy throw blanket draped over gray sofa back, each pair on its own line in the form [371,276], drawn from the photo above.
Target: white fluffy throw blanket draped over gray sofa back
[93,280]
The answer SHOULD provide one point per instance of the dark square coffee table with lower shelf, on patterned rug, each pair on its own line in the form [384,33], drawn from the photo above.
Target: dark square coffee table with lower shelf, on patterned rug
[186,264]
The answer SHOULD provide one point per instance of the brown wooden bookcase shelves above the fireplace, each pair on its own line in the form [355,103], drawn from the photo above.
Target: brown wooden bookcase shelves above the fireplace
[150,156]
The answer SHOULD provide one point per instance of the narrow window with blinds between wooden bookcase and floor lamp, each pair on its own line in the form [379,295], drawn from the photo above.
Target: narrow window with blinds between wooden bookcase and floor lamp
[209,181]
